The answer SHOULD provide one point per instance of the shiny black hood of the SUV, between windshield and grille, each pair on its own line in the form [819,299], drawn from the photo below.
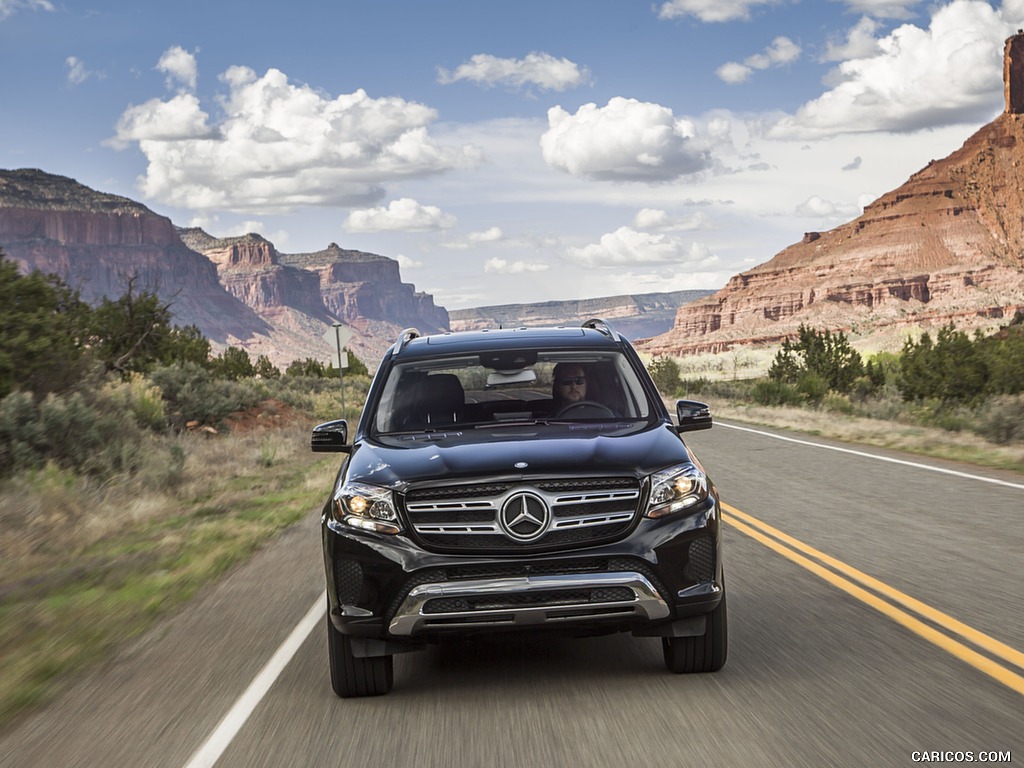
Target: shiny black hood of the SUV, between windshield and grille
[490,456]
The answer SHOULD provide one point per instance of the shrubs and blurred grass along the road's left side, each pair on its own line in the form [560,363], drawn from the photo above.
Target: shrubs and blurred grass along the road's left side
[136,467]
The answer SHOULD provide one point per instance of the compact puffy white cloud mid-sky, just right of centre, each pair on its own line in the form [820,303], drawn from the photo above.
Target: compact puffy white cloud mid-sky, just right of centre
[628,141]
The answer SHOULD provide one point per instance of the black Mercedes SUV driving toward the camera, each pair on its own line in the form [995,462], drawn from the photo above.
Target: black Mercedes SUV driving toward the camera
[526,480]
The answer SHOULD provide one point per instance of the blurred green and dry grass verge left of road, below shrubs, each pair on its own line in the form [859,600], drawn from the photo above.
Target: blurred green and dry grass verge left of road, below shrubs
[83,568]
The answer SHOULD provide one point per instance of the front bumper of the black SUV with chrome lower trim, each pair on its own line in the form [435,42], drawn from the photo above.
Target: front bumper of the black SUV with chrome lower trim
[389,588]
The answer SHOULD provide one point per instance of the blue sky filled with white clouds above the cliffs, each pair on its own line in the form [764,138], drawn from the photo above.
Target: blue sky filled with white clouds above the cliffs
[503,152]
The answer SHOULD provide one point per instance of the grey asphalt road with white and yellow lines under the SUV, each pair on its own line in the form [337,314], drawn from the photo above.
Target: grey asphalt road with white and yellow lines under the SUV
[827,667]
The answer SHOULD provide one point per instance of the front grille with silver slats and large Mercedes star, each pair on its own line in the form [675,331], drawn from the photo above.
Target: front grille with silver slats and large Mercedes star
[528,517]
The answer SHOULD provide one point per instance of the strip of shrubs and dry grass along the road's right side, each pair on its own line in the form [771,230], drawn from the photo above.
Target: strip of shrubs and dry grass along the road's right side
[953,397]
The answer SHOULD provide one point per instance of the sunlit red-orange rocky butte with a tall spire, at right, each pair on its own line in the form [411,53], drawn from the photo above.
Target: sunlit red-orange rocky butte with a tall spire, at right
[947,246]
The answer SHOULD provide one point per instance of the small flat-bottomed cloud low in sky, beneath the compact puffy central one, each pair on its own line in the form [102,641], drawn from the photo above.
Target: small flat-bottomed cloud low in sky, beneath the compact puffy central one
[627,247]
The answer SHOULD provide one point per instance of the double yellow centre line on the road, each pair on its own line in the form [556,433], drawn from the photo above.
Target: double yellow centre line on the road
[893,604]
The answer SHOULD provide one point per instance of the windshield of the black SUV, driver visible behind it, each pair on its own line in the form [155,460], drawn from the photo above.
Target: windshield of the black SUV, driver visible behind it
[510,388]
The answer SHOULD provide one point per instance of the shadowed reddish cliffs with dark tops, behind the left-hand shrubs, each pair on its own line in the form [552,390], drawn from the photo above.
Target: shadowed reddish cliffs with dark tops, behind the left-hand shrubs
[239,291]
